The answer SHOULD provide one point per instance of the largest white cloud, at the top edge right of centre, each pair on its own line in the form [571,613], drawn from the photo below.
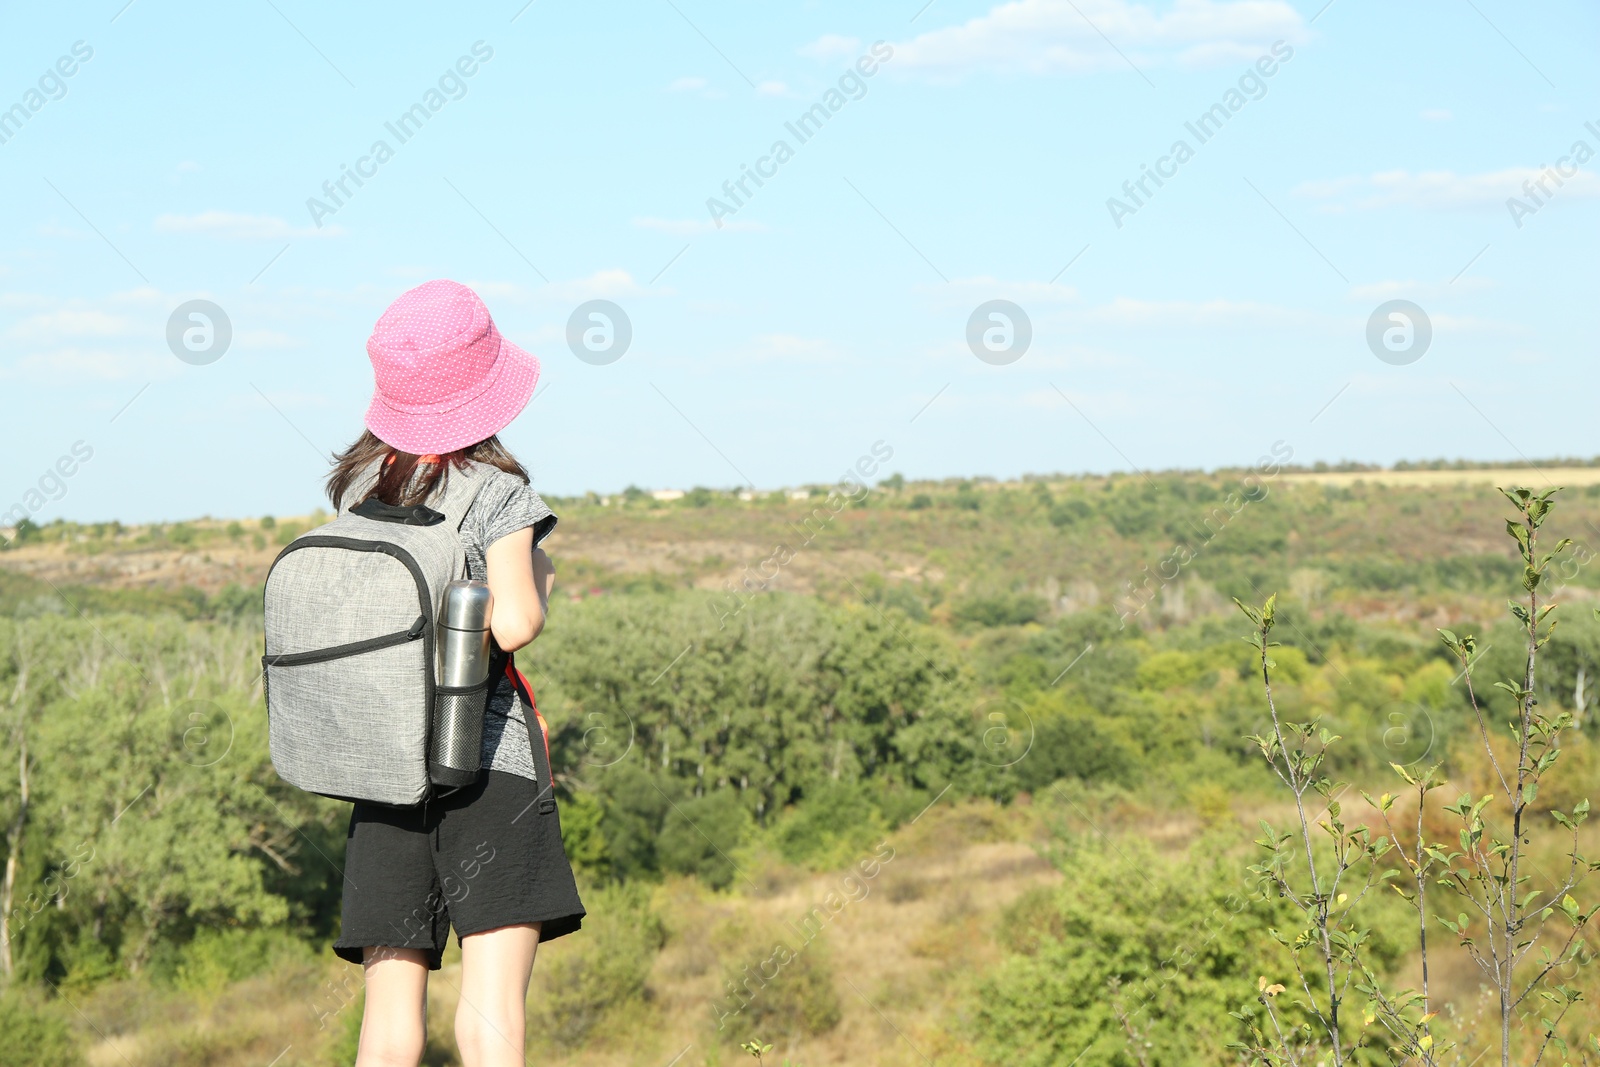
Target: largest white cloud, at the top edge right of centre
[1070,36]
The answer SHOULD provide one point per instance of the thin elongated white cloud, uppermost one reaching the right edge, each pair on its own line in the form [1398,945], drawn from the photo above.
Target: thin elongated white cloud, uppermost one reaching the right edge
[1444,190]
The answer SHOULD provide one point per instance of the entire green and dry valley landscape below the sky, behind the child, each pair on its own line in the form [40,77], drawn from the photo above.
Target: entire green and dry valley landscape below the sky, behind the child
[975,751]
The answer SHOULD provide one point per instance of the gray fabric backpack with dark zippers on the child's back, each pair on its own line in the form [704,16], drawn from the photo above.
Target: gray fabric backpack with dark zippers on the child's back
[351,620]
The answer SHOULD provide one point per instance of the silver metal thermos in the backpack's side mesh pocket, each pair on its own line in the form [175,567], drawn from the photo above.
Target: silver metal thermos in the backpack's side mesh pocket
[463,692]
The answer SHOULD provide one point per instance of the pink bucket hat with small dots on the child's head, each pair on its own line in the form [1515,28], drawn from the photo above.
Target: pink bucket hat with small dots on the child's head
[446,377]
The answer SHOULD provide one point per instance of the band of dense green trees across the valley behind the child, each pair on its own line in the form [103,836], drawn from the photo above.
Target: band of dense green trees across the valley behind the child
[140,804]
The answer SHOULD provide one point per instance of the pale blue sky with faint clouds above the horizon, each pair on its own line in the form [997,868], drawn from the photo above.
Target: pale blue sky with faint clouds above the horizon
[831,310]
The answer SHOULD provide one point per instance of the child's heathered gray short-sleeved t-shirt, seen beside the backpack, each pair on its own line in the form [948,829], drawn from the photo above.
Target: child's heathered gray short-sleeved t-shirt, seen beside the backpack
[505,506]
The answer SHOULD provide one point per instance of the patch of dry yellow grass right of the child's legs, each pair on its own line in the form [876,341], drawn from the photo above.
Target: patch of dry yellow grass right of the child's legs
[900,946]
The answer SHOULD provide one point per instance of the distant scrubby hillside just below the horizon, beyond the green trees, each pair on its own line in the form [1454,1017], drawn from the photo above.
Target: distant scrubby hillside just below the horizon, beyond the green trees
[1340,540]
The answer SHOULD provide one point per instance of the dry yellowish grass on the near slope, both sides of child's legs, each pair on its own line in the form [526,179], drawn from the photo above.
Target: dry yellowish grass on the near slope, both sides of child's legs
[902,946]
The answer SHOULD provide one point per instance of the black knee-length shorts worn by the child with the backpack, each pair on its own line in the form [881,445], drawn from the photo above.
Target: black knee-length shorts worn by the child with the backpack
[486,857]
